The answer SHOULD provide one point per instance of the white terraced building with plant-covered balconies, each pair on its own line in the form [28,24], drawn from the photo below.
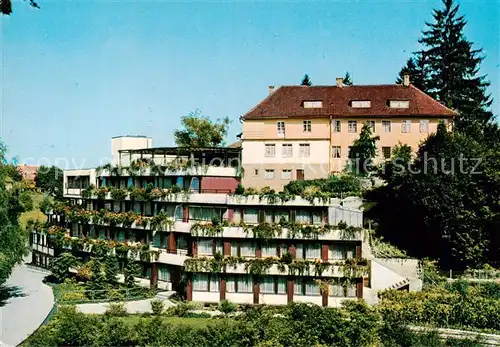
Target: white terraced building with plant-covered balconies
[190,232]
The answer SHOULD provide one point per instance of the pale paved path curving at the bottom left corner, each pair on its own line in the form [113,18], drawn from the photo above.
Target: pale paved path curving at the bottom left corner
[22,315]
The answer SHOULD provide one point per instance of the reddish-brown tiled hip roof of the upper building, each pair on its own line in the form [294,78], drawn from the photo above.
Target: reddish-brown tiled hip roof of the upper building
[287,102]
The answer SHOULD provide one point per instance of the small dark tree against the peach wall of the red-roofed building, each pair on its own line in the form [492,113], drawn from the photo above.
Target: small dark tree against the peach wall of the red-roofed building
[363,151]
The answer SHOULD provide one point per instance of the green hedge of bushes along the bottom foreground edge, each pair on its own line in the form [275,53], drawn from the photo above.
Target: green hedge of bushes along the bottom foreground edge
[295,325]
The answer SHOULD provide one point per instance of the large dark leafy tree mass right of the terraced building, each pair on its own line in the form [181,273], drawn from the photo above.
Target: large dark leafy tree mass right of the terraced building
[445,205]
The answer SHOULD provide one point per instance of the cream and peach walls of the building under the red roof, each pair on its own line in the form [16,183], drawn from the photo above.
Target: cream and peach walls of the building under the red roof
[321,162]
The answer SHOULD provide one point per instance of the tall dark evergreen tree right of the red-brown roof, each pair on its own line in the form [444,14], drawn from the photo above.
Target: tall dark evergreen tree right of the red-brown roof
[450,67]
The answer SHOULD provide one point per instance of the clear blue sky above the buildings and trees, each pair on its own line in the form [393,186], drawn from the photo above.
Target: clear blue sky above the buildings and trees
[76,73]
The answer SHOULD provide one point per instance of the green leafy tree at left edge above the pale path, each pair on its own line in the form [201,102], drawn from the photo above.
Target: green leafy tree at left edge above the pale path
[12,238]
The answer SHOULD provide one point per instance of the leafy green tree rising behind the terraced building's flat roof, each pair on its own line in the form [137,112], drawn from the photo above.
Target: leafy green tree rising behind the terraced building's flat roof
[201,132]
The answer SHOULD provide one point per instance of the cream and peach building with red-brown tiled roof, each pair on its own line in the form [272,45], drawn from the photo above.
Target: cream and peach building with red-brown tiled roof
[305,132]
